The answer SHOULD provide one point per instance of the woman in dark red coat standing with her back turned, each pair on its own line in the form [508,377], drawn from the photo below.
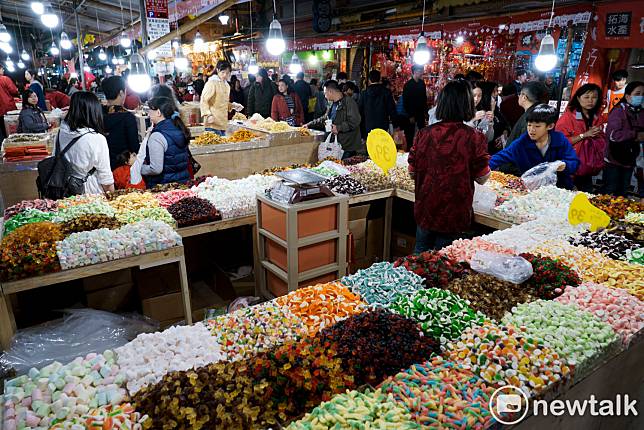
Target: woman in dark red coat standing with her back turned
[445,161]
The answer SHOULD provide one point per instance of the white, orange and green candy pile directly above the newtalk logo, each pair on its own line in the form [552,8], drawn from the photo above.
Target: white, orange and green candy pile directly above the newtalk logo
[502,355]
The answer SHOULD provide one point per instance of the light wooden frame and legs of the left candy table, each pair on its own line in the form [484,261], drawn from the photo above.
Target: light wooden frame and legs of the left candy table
[143,261]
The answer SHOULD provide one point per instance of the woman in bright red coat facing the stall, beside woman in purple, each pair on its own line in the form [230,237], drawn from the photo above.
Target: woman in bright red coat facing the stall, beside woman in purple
[582,124]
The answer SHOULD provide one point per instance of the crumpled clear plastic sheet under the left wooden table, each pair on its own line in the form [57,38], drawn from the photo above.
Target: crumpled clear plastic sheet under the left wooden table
[80,332]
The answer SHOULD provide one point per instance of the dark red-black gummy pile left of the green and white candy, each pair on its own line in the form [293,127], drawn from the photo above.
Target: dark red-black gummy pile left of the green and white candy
[377,344]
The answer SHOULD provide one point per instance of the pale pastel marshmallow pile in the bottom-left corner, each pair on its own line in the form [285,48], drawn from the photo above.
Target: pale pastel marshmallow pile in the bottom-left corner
[58,394]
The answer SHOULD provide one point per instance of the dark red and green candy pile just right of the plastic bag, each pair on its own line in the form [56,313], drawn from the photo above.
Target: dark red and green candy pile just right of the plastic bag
[550,277]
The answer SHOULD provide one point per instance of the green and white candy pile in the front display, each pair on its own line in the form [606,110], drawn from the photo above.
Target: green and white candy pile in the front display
[441,314]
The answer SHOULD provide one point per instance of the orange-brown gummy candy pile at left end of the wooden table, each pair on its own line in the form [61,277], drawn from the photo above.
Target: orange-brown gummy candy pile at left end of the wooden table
[30,250]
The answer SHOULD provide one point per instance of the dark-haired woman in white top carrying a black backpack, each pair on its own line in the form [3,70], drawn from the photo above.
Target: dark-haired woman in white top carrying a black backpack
[83,146]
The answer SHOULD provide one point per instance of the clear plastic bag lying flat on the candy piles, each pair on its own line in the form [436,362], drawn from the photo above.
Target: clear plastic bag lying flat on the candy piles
[505,267]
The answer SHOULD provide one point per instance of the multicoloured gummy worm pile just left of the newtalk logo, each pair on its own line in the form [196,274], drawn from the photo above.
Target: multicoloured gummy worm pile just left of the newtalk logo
[442,394]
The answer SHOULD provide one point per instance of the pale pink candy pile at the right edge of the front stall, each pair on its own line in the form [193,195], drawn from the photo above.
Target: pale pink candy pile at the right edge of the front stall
[616,307]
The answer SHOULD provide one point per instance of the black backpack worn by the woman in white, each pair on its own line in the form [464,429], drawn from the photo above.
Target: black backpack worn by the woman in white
[55,174]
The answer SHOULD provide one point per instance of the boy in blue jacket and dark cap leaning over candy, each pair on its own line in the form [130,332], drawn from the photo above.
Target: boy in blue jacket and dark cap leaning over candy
[540,144]
